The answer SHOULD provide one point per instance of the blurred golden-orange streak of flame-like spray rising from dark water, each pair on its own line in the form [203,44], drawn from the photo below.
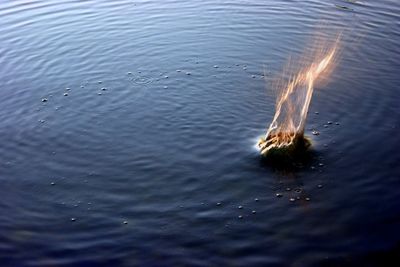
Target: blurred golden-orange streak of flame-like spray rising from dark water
[295,97]
